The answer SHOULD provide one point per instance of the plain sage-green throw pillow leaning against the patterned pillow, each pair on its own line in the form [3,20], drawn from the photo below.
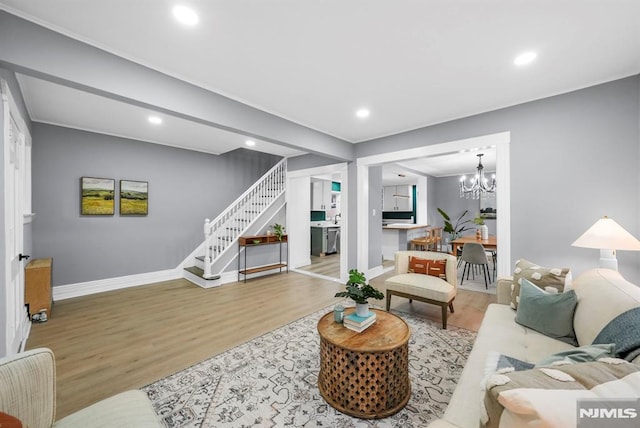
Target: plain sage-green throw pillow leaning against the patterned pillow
[549,314]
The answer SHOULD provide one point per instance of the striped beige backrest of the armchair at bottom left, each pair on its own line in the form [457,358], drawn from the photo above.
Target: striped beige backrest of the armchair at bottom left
[28,387]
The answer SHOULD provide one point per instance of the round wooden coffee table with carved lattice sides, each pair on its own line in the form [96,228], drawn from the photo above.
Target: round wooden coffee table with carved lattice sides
[366,374]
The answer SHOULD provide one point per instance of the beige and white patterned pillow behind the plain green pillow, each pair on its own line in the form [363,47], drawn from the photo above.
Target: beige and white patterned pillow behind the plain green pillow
[539,276]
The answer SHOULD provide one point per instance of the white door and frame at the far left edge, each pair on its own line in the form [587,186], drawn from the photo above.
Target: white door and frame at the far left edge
[16,193]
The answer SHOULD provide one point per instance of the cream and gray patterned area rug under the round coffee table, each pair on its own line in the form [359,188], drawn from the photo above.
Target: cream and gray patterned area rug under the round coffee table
[271,381]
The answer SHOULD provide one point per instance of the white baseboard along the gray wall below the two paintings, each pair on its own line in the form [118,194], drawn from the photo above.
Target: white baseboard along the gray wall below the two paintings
[69,291]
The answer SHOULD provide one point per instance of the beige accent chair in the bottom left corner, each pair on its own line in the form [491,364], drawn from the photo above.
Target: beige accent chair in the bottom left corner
[28,392]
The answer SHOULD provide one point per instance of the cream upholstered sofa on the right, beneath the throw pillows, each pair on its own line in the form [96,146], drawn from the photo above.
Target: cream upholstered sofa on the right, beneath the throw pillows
[602,295]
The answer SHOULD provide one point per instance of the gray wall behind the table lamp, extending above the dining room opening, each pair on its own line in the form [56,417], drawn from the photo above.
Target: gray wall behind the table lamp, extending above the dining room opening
[574,158]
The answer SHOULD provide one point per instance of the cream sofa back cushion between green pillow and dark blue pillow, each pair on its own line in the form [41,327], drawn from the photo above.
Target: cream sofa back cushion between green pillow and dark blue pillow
[592,288]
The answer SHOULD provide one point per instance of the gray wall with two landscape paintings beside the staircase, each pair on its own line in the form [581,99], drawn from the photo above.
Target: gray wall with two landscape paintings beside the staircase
[185,187]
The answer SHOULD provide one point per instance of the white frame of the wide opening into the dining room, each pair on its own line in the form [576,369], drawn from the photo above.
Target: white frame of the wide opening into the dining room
[501,142]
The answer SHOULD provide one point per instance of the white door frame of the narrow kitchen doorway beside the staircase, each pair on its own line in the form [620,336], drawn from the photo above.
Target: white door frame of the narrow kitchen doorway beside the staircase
[298,218]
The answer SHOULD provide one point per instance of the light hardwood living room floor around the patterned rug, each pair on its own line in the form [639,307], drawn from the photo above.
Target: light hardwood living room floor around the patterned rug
[110,342]
